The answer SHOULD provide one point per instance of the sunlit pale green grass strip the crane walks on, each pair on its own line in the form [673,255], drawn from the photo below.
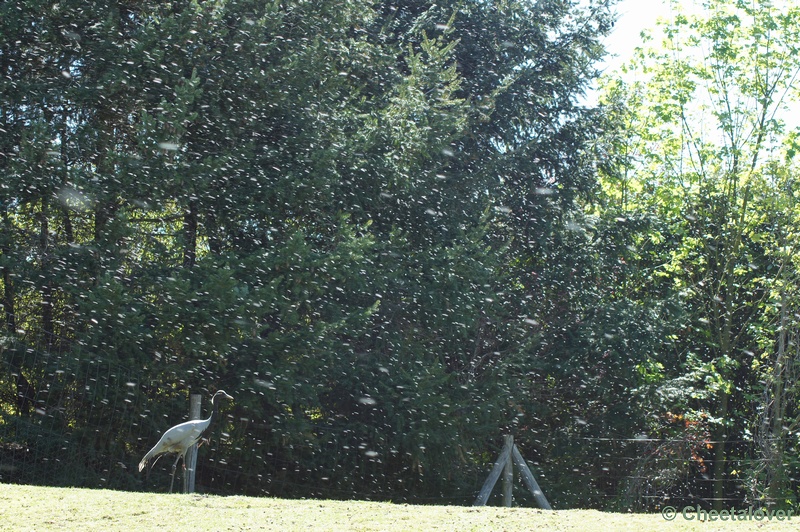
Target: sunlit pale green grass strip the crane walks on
[36,508]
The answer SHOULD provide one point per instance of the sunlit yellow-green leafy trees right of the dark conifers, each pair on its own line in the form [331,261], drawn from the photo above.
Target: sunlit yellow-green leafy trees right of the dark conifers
[708,157]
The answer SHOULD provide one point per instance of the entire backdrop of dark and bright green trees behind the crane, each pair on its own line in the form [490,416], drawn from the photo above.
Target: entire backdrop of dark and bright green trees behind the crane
[395,232]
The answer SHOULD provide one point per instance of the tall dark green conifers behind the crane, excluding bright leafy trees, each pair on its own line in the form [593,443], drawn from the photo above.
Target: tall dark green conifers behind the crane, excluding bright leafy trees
[351,217]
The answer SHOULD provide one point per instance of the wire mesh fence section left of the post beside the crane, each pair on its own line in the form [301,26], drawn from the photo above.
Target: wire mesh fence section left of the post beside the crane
[69,428]
